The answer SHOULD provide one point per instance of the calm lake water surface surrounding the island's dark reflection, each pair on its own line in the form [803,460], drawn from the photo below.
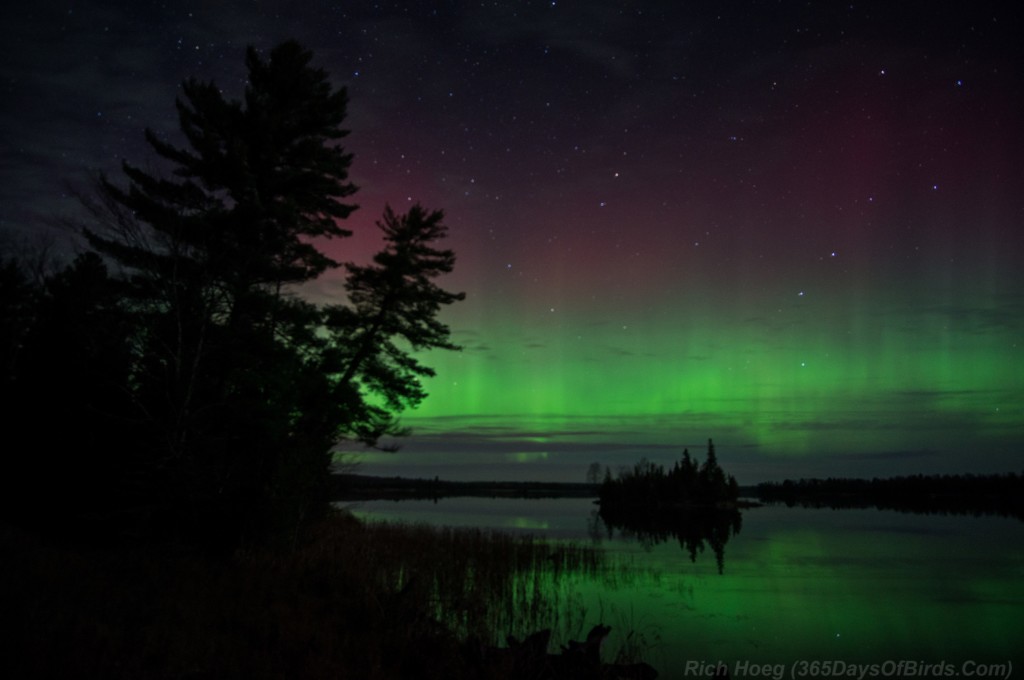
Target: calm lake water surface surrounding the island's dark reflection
[855,588]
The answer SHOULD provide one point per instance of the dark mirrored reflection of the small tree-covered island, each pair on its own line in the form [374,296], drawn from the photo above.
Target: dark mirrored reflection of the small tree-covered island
[693,528]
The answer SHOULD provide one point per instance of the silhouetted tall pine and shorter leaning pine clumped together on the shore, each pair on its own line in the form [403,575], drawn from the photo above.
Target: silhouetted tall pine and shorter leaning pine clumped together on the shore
[231,389]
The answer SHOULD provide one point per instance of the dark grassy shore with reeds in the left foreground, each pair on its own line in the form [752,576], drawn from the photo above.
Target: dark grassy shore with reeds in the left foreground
[353,600]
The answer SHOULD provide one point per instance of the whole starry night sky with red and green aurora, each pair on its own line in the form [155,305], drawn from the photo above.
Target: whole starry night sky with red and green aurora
[795,228]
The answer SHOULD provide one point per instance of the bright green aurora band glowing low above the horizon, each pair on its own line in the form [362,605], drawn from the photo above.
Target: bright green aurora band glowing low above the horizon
[878,387]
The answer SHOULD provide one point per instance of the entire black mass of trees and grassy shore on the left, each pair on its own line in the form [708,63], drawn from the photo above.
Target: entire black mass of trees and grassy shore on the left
[173,404]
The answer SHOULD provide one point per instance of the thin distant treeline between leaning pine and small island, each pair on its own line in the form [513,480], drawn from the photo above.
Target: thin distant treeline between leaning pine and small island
[362,488]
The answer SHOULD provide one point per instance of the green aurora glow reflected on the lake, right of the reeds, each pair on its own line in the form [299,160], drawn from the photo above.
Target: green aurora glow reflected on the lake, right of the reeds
[874,587]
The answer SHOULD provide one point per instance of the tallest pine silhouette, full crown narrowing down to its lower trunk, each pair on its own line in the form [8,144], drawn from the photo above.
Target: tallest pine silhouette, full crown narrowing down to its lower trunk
[212,251]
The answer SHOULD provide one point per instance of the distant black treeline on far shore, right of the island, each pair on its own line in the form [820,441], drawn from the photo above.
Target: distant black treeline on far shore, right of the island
[957,494]
